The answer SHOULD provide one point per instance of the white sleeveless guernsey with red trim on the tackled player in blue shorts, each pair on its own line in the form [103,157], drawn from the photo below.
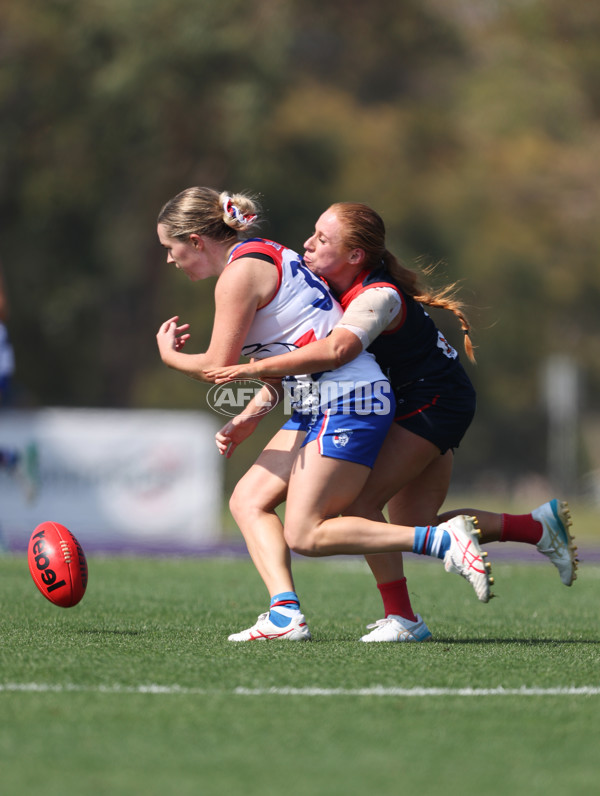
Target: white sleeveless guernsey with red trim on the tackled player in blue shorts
[302,310]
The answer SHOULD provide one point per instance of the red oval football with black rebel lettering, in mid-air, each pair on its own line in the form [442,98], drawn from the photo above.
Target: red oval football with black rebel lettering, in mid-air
[57,564]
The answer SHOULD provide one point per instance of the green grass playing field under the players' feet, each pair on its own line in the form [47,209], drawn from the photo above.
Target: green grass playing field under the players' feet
[137,691]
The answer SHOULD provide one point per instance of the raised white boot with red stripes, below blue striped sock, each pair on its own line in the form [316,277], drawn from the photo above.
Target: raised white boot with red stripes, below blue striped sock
[465,556]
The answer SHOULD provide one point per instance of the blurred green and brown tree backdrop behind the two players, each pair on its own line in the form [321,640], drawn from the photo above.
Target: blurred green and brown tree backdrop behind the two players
[472,128]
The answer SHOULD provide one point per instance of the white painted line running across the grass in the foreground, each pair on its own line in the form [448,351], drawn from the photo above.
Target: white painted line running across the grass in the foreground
[377,691]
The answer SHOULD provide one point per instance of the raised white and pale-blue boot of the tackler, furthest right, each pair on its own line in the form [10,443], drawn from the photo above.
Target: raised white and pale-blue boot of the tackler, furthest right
[557,542]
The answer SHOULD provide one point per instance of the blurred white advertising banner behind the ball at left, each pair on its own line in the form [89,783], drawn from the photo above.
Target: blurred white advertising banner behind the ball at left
[120,480]
